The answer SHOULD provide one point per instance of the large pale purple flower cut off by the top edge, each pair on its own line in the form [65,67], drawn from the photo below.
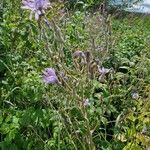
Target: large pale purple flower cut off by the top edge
[36,6]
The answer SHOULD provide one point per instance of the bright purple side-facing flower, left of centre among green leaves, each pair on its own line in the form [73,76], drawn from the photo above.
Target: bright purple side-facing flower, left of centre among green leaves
[49,76]
